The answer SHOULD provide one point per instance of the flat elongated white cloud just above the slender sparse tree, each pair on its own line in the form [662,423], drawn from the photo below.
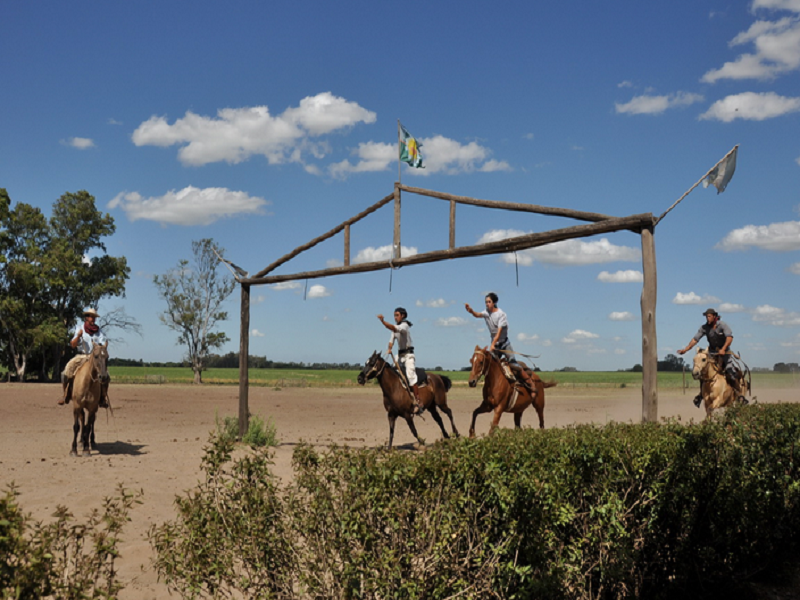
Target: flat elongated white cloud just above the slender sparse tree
[189,206]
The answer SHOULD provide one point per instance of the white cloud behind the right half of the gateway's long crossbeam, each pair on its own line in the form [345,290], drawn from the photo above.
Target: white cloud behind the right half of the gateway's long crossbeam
[568,252]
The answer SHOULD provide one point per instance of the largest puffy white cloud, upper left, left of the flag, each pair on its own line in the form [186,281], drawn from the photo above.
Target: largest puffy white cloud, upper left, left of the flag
[236,134]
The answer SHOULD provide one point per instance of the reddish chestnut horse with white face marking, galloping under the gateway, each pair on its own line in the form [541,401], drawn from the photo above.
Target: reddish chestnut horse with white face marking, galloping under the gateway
[499,395]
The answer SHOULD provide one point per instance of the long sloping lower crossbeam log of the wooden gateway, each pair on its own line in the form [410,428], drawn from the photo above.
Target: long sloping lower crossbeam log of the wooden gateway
[635,223]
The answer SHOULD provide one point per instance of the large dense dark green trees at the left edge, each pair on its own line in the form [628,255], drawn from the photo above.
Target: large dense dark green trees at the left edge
[50,270]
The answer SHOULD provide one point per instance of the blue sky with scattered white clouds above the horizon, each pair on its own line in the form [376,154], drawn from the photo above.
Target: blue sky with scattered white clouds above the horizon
[263,125]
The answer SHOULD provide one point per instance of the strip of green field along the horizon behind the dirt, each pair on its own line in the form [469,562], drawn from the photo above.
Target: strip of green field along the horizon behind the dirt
[337,378]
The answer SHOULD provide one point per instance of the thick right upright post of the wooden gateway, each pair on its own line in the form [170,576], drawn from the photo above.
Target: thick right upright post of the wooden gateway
[649,343]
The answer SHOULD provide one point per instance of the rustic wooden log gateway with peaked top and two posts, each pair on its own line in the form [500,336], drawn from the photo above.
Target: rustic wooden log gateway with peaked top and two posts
[642,224]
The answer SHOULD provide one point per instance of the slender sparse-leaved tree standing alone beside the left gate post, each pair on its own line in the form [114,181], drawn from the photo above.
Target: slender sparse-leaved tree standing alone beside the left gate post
[194,295]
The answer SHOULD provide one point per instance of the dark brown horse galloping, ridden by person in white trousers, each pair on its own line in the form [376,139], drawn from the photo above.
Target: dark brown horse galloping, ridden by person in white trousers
[397,400]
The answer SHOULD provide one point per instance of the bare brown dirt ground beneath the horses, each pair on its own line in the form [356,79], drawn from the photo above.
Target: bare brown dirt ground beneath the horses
[154,442]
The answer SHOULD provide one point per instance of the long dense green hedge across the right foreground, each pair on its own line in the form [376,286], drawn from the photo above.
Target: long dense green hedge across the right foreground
[621,511]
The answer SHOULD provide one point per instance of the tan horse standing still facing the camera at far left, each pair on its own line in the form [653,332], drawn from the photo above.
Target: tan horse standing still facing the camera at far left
[86,390]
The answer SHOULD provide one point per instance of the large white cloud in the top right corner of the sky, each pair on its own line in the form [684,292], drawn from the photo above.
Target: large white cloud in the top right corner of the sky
[776,47]
